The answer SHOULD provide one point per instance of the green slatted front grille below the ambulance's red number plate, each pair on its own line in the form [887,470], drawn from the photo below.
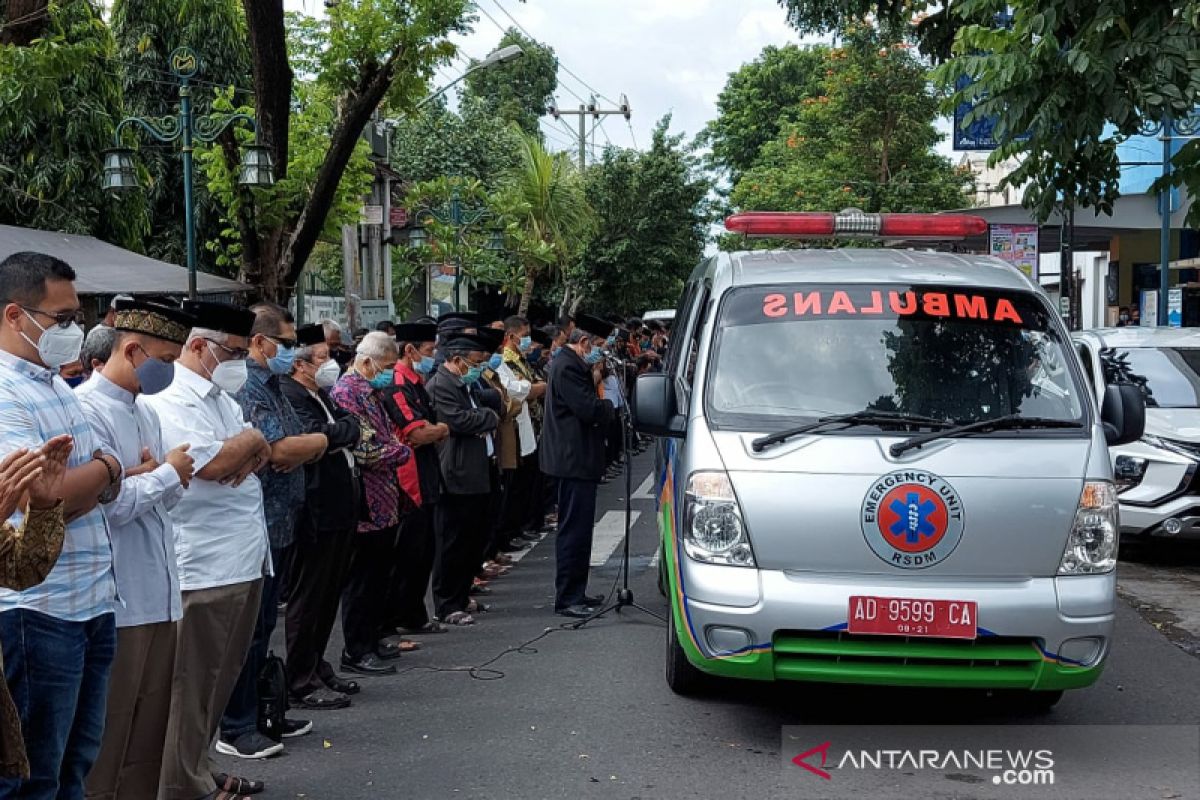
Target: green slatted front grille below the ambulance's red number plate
[991,663]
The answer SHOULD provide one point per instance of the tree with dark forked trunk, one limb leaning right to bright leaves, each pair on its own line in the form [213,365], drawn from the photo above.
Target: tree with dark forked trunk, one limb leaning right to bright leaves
[368,55]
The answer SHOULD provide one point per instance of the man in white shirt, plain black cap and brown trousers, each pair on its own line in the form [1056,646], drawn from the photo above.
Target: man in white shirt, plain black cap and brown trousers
[220,540]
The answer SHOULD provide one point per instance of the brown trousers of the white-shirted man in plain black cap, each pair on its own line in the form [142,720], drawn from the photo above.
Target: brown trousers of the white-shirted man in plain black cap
[214,637]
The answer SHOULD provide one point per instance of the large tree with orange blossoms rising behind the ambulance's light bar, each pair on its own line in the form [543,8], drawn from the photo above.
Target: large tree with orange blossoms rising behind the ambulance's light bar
[866,142]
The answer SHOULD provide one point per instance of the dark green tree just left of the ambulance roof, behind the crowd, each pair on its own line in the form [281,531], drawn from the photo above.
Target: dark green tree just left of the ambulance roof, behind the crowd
[652,225]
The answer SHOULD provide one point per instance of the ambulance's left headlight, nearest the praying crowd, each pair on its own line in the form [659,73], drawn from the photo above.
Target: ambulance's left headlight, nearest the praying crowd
[713,528]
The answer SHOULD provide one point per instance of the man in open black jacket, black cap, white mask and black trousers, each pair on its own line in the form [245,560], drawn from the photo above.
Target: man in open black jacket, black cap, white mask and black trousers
[325,531]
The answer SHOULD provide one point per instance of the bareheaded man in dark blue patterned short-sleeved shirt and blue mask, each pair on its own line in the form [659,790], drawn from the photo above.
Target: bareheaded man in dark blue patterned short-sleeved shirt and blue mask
[273,347]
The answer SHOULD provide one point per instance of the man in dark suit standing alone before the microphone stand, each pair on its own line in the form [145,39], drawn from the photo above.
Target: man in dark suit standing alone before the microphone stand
[573,452]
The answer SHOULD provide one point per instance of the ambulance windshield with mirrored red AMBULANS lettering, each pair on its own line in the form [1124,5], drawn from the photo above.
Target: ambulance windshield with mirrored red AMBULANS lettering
[793,353]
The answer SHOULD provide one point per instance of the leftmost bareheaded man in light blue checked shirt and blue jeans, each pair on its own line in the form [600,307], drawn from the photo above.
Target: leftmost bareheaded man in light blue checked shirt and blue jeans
[59,637]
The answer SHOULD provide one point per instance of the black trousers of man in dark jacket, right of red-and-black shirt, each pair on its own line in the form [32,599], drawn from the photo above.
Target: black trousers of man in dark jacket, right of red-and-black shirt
[463,536]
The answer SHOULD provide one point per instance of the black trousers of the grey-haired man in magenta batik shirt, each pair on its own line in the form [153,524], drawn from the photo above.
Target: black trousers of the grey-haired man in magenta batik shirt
[367,591]
